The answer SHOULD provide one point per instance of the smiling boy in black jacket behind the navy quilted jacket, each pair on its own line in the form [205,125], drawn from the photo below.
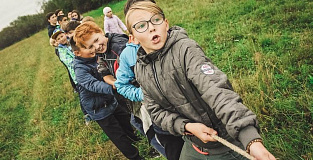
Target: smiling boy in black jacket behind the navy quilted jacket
[108,47]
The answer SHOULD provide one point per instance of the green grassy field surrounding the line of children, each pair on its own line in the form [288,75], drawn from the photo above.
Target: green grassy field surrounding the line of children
[265,48]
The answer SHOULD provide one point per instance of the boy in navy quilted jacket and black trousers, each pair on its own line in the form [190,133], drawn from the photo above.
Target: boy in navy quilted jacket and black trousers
[100,103]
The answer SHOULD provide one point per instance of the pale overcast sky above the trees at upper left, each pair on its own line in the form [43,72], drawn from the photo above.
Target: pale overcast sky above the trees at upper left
[11,9]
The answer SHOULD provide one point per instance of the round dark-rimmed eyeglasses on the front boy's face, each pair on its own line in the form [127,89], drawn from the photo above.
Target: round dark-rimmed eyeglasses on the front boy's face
[142,26]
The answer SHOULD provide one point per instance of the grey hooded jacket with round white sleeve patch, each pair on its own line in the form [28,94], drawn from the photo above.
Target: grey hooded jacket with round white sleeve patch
[167,105]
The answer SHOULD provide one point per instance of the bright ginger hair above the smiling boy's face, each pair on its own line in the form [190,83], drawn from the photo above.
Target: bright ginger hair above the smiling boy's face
[84,31]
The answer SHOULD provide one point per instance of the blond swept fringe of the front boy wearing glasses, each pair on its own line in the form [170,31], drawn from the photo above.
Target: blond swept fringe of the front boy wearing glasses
[145,6]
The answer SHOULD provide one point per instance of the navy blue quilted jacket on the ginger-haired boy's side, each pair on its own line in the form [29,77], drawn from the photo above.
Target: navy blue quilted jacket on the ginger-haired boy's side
[96,96]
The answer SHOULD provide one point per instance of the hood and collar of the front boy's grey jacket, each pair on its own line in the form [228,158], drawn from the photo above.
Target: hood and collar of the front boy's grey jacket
[175,34]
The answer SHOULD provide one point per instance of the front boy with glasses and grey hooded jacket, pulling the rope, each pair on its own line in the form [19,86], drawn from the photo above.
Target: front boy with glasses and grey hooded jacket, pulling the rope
[186,94]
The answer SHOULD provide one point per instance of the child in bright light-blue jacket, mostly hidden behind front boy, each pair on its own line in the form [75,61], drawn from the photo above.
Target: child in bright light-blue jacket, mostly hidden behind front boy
[127,86]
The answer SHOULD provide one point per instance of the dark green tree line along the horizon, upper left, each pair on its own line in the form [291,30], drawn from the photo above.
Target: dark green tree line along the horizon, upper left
[25,26]
